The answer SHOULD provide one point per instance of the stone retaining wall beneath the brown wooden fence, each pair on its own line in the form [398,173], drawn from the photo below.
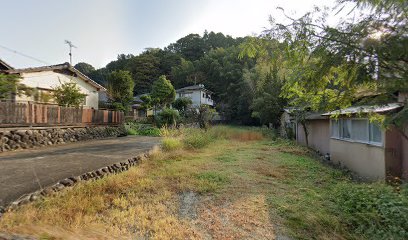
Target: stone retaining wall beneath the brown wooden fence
[13,139]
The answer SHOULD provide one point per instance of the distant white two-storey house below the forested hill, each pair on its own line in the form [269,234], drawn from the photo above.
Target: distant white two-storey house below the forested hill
[197,93]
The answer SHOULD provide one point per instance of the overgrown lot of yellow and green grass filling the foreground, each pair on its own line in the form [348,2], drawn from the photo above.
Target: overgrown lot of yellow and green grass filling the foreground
[226,183]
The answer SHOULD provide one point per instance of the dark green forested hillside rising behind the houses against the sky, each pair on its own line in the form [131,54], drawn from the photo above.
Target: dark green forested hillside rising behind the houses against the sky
[211,59]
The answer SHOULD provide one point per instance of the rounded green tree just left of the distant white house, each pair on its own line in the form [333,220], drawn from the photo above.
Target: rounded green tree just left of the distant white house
[163,92]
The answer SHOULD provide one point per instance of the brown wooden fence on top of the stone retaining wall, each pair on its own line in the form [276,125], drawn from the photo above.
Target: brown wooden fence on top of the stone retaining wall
[29,114]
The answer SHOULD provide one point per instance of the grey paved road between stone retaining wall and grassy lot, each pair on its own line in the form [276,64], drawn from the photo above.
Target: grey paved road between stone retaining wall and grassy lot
[27,171]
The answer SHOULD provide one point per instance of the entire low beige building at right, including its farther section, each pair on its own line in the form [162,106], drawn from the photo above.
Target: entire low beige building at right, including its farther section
[351,140]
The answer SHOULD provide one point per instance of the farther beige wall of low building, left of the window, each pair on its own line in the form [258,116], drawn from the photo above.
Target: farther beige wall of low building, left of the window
[319,135]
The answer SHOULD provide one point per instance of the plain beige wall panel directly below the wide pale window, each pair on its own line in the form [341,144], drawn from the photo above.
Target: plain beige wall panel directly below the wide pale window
[366,160]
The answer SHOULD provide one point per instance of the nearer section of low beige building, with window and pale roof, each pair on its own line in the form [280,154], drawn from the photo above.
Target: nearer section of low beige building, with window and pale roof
[366,148]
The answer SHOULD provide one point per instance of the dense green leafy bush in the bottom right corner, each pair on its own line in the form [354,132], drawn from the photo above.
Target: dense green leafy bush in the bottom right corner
[376,211]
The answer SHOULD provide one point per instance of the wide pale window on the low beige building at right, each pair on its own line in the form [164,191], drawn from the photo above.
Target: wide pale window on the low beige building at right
[358,130]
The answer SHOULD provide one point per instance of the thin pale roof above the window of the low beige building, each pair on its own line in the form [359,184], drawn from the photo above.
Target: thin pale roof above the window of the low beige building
[366,109]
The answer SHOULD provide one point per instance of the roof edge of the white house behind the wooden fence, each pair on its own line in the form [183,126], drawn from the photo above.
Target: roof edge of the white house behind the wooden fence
[64,66]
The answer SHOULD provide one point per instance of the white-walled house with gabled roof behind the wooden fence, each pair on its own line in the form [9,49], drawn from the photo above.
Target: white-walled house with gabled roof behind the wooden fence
[44,79]
